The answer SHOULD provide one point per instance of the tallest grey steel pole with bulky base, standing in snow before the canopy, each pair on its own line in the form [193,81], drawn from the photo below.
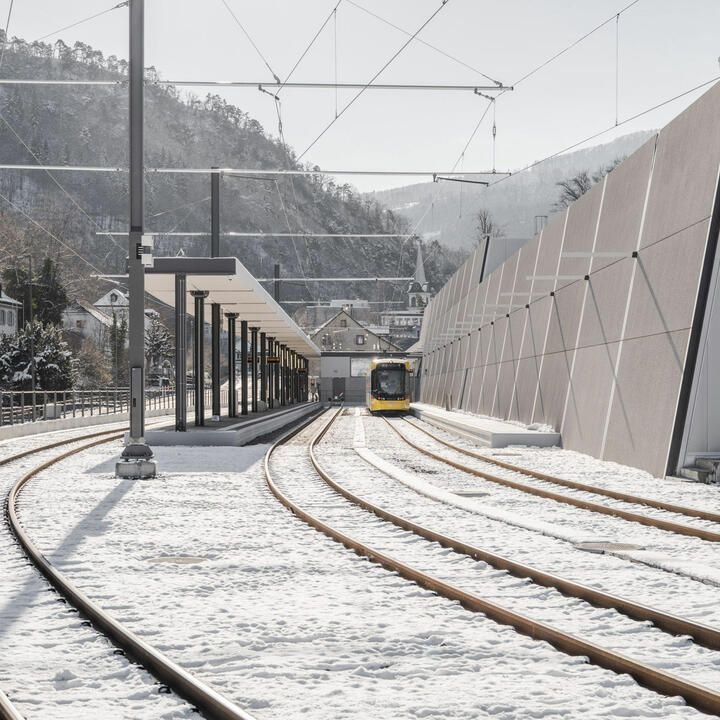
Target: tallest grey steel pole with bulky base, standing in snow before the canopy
[137,456]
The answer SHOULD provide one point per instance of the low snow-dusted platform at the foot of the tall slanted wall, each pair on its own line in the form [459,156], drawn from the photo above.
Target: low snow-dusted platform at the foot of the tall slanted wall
[487,432]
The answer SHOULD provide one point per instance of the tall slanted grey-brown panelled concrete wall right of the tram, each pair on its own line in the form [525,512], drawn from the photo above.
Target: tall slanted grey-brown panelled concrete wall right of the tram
[597,326]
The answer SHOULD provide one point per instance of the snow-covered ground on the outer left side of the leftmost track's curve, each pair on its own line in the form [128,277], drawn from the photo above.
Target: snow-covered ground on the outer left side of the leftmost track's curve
[52,664]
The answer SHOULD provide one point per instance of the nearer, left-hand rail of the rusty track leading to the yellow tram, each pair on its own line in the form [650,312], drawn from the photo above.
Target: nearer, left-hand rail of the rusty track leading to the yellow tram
[668,525]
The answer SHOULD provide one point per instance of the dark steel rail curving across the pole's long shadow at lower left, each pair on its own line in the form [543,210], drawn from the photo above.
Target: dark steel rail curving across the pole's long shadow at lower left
[210,703]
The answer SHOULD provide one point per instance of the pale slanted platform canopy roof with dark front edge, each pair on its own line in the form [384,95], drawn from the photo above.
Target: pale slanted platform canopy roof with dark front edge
[230,284]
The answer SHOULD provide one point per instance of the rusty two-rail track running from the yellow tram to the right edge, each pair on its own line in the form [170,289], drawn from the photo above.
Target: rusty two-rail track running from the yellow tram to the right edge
[711,535]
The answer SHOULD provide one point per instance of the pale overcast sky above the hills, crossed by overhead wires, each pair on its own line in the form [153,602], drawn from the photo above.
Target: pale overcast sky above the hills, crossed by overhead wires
[665,48]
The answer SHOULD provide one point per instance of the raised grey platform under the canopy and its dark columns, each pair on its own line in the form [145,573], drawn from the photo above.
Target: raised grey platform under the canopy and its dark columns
[232,431]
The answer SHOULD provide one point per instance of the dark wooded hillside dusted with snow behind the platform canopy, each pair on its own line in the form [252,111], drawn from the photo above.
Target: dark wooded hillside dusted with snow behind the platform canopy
[60,215]
